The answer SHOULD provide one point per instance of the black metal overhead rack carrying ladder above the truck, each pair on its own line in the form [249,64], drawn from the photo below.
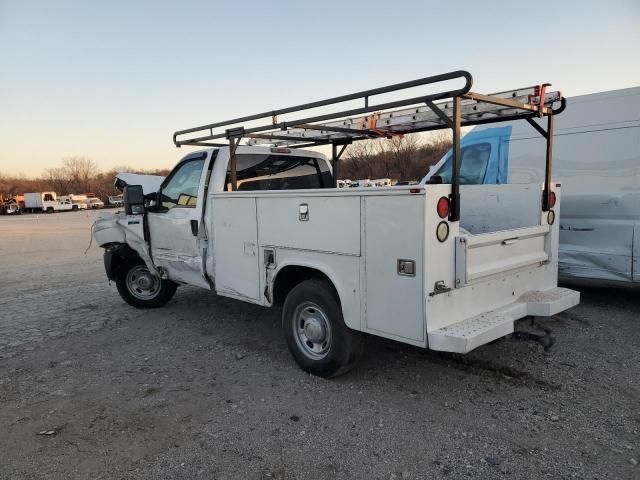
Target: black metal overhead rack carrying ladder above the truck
[453,108]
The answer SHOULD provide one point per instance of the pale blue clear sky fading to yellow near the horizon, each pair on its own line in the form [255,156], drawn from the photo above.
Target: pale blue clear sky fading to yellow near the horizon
[112,80]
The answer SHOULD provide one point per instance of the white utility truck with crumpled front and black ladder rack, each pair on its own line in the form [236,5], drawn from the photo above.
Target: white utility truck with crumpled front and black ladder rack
[441,266]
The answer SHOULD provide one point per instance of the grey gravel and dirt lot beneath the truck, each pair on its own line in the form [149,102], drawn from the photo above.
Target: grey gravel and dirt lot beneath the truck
[205,388]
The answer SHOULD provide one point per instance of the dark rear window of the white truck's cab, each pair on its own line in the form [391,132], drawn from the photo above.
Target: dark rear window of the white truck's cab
[280,172]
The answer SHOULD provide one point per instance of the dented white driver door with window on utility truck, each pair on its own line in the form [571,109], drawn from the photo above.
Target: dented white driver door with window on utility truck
[173,228]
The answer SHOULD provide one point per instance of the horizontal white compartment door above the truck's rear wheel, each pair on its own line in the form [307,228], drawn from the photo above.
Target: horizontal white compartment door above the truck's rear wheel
[333,223]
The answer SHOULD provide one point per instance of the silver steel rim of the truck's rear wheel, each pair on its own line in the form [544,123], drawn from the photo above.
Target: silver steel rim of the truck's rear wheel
[311,330]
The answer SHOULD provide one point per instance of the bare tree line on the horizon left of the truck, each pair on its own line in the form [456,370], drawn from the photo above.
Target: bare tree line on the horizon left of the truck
[74,175]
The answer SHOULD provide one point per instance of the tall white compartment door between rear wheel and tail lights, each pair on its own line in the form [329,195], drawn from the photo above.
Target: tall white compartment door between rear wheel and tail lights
[393,229]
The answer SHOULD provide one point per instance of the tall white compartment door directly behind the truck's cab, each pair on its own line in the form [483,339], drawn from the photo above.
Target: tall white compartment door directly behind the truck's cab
[235,247]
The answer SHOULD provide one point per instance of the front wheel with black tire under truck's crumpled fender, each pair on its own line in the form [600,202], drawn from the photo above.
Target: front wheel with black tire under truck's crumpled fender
[140,289]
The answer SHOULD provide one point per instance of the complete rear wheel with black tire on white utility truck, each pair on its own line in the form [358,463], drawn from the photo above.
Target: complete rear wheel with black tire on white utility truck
[315,331]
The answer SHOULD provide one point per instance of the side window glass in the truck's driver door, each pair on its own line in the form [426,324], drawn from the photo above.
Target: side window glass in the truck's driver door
[181,189]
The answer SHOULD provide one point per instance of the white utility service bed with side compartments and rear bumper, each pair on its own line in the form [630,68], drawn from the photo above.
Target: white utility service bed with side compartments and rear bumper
[357,237]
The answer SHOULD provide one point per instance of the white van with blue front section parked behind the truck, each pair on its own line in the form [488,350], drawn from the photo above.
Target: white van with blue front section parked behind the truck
[596,149]
